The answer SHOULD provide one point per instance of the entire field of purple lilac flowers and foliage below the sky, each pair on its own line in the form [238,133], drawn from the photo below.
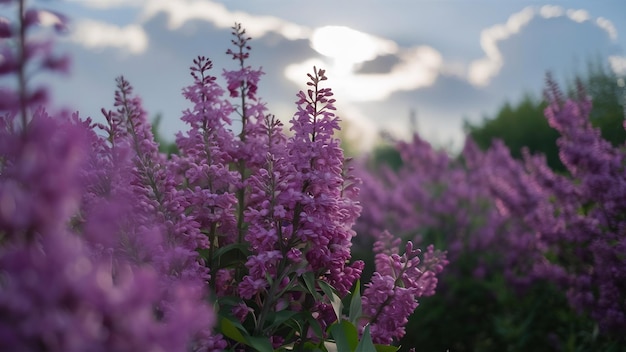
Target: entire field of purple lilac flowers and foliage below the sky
[268,238]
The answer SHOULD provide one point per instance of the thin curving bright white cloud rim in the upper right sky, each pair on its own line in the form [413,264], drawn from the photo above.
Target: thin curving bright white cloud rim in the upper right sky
[482,70]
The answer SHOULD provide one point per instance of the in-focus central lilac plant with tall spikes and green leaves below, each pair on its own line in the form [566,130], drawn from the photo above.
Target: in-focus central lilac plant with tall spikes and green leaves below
[278,211]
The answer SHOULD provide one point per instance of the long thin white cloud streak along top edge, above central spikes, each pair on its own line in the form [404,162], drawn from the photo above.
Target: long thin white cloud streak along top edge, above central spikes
[181,11]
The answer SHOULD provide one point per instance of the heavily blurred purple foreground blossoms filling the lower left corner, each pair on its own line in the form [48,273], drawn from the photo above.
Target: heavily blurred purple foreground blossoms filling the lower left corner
[96,296]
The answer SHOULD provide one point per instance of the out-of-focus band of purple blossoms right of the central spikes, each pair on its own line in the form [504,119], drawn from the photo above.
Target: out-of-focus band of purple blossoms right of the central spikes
[520,218]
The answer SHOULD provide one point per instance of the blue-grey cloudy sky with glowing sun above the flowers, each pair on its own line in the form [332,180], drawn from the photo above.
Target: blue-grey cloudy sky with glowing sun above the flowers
[442,61]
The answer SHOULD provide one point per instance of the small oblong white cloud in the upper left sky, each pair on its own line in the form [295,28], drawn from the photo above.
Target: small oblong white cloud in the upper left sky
[98,35]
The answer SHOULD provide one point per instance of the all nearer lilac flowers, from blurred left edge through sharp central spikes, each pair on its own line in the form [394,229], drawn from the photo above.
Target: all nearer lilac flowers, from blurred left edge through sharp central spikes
[108,244]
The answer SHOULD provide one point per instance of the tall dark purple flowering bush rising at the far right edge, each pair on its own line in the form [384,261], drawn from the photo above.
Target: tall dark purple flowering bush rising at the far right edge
[572,226]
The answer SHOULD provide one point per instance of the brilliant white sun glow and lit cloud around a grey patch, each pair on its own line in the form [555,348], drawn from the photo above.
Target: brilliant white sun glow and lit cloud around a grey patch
[344,49]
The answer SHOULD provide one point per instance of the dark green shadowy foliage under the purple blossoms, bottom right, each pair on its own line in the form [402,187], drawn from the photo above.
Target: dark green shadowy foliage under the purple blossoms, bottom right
[472,314]
